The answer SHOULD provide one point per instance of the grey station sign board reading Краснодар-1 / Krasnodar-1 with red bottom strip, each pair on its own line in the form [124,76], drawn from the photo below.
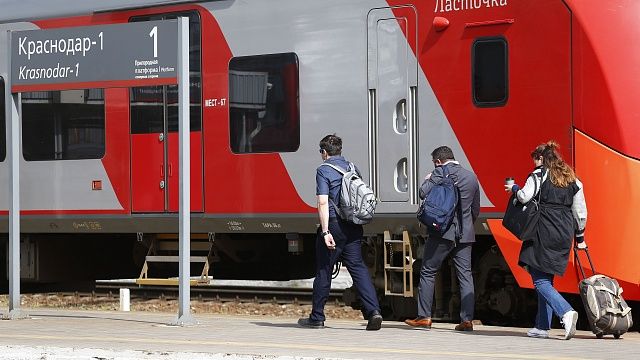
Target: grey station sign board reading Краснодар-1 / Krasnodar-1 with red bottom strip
[119,55]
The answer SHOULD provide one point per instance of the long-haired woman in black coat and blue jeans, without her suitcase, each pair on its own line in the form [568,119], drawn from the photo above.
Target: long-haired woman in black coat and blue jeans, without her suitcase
[562,215]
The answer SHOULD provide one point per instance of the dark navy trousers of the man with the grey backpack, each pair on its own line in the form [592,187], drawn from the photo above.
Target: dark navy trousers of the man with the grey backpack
[348,238]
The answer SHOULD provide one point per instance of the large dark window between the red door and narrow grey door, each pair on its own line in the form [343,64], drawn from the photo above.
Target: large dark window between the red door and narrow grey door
[264,111]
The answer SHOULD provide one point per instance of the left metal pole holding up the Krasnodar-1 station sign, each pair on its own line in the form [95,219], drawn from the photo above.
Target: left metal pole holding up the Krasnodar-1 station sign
[13,130]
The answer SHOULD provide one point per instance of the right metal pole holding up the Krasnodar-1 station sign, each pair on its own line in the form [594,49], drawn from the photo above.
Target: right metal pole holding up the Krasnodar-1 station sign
[184,291]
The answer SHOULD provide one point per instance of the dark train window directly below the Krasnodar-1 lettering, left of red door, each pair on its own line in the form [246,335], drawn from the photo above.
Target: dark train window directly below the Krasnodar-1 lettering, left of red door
[63,125]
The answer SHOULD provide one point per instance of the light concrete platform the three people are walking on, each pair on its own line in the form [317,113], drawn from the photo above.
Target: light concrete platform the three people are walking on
[57,334]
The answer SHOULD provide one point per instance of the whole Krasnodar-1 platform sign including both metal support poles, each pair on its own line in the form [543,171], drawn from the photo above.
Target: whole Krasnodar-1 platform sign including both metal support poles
[102,56]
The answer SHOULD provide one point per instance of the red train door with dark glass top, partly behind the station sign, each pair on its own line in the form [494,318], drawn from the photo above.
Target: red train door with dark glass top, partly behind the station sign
[154,136]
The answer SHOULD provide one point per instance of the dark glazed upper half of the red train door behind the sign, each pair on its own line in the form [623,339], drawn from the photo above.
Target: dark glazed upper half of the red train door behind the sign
[150,104]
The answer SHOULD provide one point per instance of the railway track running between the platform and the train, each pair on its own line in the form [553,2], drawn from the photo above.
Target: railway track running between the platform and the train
[222,293]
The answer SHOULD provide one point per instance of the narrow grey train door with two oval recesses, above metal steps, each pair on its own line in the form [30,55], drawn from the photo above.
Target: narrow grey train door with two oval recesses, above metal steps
[392,83]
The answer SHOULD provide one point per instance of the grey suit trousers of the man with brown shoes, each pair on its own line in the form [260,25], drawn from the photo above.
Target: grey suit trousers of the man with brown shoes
[435,251]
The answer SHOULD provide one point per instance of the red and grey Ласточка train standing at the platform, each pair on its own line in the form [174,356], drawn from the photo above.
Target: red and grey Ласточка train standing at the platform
[268,79]
